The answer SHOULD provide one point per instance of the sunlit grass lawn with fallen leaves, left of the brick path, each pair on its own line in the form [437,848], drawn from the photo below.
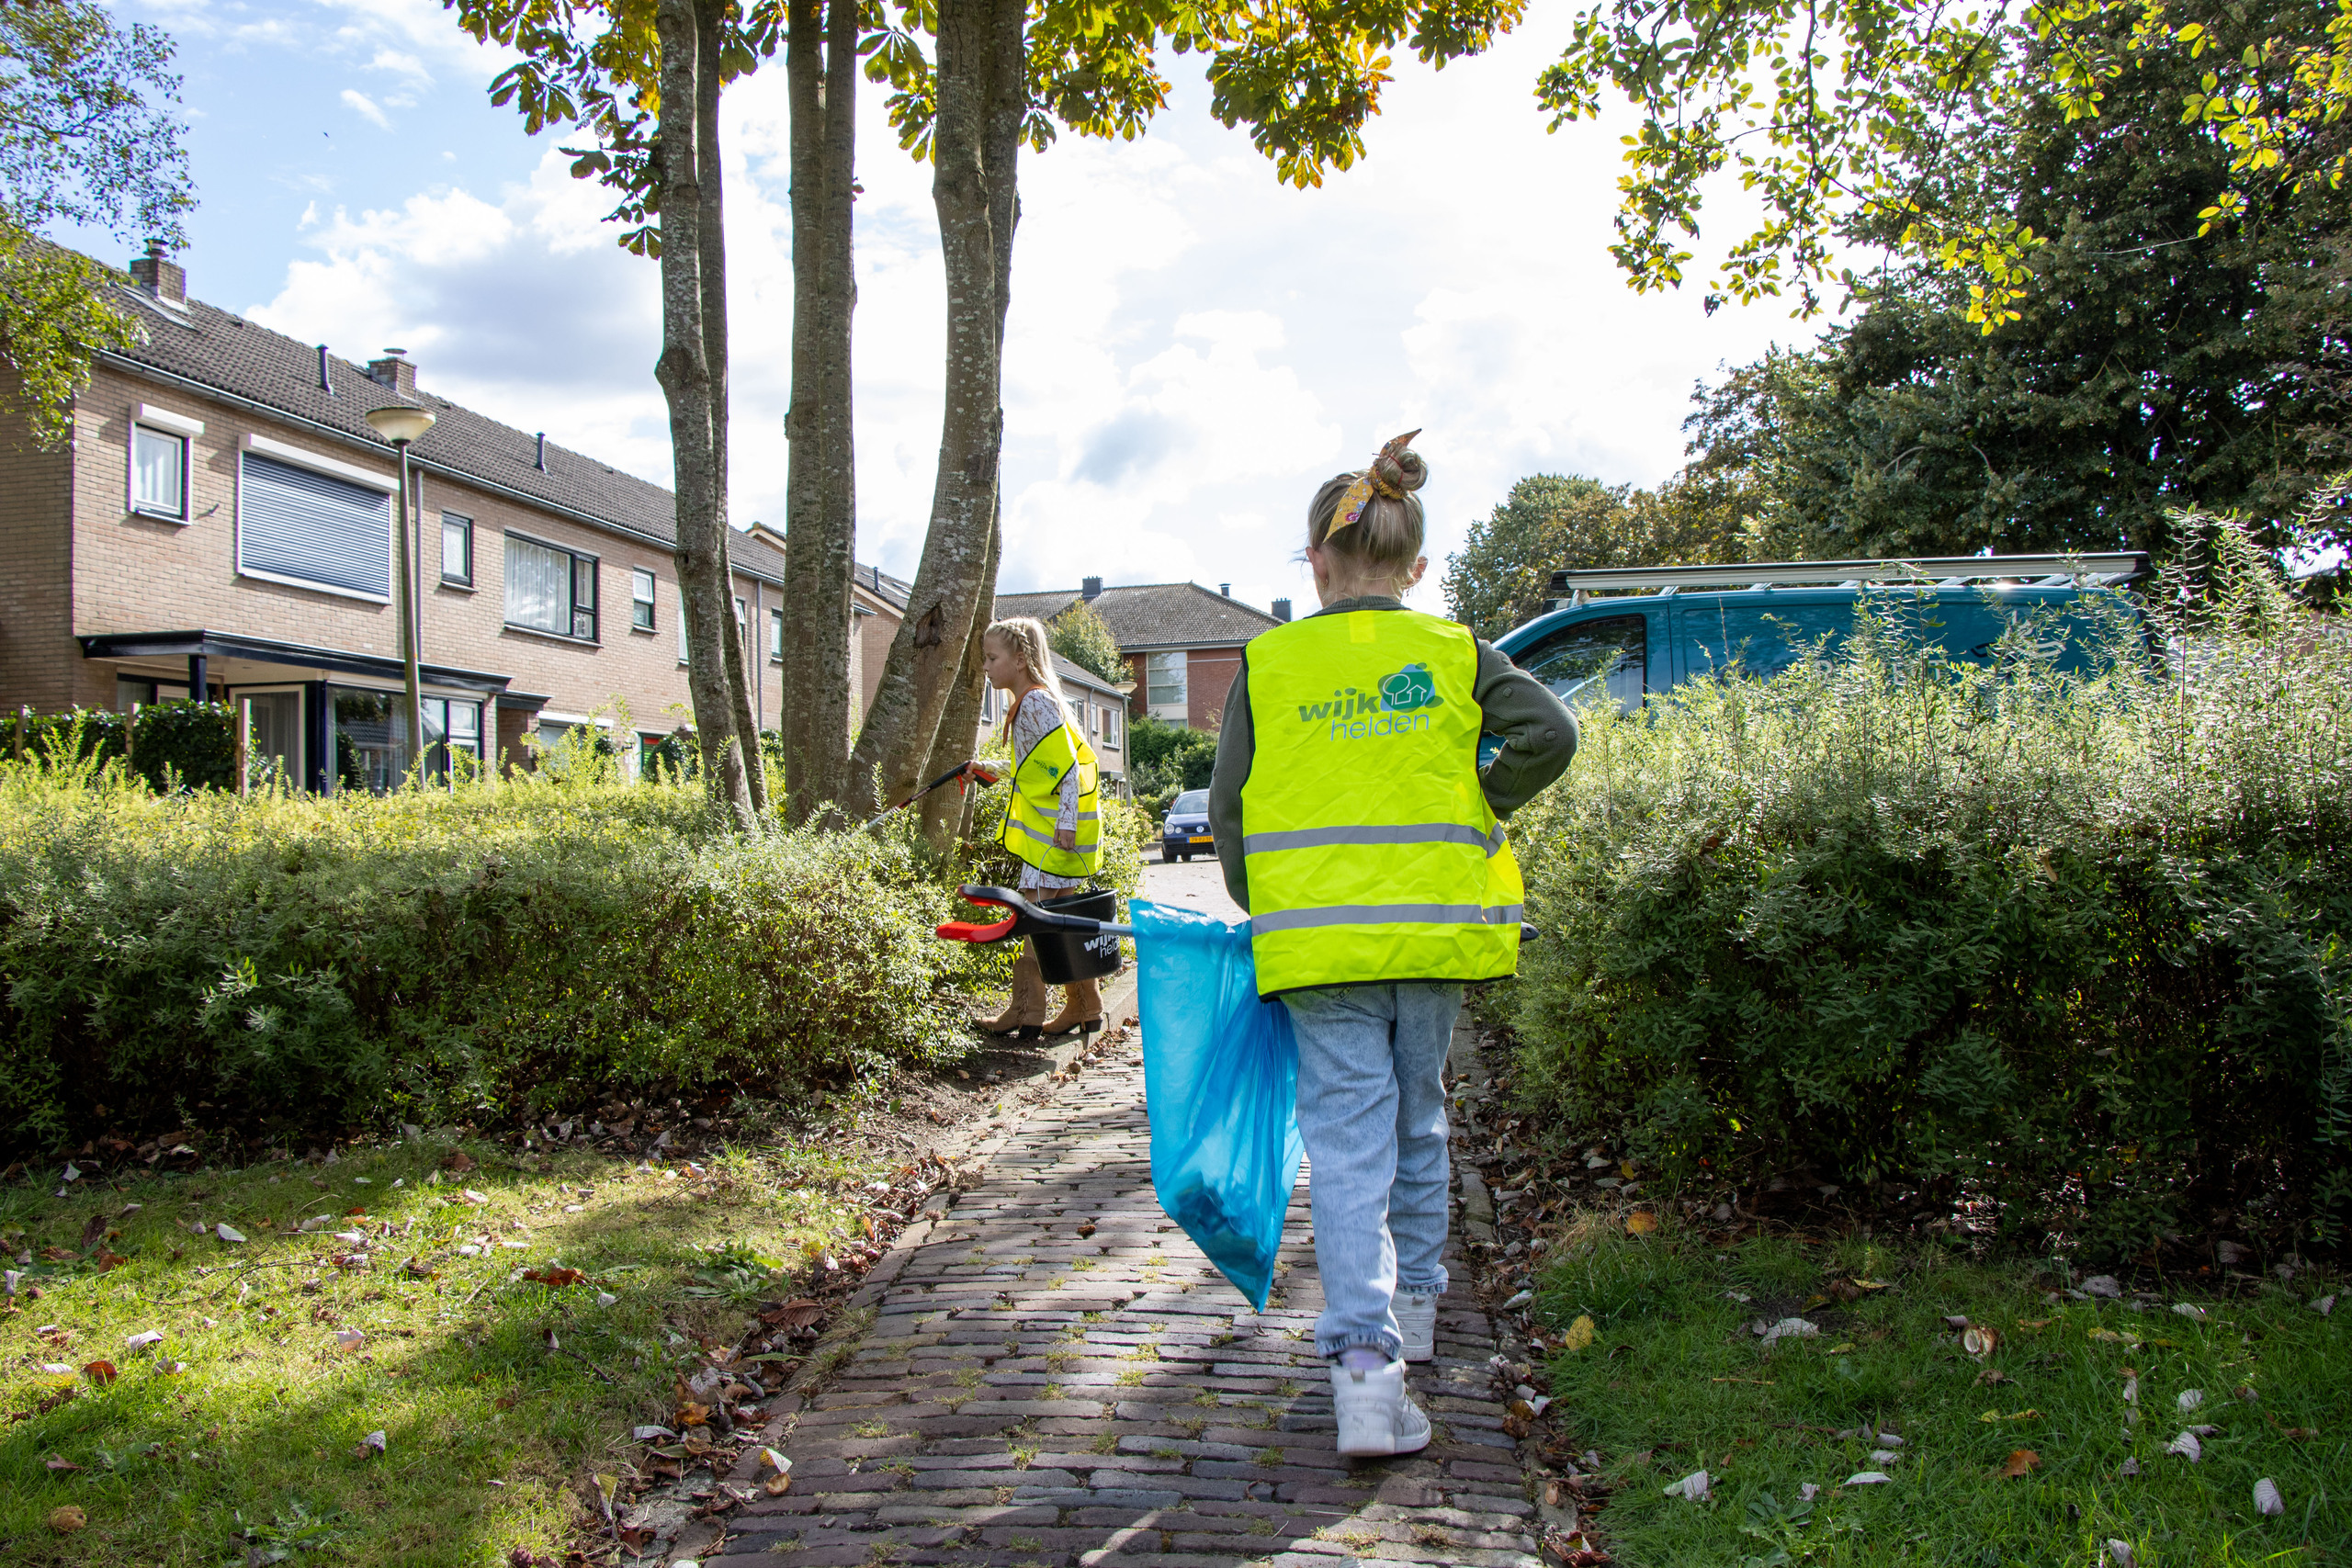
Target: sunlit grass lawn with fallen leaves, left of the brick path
[243,1428]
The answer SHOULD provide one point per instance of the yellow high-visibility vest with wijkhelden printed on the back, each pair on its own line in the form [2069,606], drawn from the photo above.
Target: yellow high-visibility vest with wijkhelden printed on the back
[1370,845]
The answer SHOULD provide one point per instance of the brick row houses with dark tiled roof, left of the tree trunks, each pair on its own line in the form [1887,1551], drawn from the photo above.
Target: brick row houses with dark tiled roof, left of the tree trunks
[222,525]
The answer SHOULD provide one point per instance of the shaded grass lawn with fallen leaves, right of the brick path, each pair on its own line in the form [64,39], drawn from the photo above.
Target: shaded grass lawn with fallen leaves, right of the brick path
[1678,1381]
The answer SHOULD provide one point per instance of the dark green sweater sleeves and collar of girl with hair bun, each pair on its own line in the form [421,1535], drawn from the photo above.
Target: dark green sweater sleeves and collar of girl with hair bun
[1537,728]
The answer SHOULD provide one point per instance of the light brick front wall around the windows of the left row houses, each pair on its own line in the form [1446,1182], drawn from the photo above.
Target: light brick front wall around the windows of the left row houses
[138,575]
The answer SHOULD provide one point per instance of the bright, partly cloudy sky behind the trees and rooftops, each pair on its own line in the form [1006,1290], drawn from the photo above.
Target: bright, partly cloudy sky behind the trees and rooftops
[1191,347]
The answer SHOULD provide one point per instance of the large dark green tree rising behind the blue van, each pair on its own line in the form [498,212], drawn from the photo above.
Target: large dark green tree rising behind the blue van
[2158,361]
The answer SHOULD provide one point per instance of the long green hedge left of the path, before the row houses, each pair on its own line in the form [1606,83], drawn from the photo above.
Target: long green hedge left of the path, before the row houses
[298,965]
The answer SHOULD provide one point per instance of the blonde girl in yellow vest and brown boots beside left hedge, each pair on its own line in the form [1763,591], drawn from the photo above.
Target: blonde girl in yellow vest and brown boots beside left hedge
[1053,824]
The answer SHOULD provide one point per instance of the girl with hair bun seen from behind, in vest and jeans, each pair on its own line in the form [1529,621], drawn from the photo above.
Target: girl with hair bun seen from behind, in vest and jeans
[1363,838]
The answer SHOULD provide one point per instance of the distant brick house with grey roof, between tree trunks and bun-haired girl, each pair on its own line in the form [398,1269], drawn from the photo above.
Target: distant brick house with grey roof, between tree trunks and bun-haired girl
[1182,641]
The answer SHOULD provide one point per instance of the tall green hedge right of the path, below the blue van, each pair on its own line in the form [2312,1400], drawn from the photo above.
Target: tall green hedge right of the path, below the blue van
[2073,946]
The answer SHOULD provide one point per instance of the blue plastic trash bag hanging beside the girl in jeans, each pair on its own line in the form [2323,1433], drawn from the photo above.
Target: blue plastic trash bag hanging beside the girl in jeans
[1220,1087]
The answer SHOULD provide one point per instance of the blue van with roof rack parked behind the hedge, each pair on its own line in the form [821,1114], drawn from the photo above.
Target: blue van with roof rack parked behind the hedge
[1664,626]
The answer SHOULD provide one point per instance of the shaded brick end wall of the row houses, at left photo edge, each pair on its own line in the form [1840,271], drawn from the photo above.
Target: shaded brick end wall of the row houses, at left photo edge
[39,662]
